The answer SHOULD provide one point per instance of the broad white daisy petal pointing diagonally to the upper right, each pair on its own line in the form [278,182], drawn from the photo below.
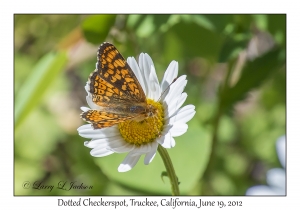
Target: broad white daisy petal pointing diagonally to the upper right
[175,89]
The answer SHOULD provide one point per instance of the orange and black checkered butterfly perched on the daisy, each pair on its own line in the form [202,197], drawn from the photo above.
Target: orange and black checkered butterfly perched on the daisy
[116,90]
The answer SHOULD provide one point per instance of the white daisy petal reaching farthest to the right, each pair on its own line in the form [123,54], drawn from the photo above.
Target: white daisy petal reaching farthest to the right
[183,115]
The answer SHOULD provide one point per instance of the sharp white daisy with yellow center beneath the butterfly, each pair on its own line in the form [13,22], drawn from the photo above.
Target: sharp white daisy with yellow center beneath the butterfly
[137,138]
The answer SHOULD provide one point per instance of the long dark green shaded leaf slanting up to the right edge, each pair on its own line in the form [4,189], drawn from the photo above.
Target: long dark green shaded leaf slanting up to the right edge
[253,74]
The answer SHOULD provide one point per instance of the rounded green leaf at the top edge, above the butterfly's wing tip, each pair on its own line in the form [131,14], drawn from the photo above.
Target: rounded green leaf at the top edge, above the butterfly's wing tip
[96,27]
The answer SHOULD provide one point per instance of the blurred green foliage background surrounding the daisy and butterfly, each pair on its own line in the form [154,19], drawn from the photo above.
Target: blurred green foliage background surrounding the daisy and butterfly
[235,66]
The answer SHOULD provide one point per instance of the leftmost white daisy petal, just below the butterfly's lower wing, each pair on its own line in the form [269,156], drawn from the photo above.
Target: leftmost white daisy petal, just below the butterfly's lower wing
[87,131]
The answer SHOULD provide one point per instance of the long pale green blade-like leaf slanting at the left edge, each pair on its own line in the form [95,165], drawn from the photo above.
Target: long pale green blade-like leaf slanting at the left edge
[32,90]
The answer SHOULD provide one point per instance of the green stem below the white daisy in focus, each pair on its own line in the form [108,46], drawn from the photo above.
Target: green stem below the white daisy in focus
[170,169]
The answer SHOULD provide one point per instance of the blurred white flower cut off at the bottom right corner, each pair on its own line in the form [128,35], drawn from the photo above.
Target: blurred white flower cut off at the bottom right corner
[275,177]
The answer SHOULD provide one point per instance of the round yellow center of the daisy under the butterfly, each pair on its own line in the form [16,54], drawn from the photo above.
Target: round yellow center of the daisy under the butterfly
[144,131]
